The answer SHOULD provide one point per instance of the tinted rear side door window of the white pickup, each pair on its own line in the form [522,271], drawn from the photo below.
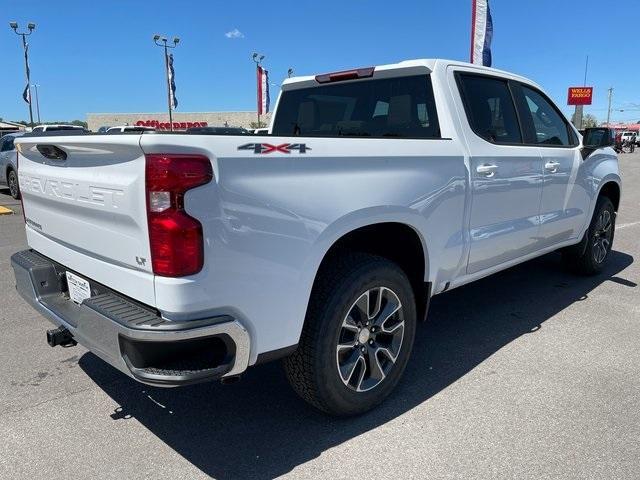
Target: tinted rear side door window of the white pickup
[490,108]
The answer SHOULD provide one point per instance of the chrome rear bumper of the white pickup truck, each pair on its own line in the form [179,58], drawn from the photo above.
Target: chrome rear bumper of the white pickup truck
[130,336]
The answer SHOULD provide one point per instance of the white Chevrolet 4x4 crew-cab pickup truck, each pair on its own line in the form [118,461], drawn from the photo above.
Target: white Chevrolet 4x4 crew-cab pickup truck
[180,258]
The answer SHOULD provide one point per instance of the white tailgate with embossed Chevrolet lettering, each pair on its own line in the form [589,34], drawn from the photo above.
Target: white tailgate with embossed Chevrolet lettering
[88,210]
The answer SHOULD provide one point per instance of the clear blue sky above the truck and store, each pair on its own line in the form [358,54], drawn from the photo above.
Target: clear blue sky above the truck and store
[98,56]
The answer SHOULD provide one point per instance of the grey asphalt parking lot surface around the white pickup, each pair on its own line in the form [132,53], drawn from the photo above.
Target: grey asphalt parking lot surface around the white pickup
[531,373]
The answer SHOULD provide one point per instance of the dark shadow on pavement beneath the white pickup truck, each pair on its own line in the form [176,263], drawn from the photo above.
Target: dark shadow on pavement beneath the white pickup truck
[258,428]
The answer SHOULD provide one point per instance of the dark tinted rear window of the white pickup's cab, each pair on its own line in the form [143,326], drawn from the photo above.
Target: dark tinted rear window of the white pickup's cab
[401,107]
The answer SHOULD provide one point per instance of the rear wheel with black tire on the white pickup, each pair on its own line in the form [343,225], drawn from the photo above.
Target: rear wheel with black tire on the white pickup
[313,369]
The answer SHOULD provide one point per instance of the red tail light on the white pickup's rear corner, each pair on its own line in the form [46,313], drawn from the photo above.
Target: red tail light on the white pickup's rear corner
[175,237]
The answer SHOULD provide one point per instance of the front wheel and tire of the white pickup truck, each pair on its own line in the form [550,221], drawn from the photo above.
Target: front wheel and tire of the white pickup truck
[590,256]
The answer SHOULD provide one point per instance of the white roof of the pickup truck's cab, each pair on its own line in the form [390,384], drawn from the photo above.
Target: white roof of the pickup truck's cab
[417,66]
